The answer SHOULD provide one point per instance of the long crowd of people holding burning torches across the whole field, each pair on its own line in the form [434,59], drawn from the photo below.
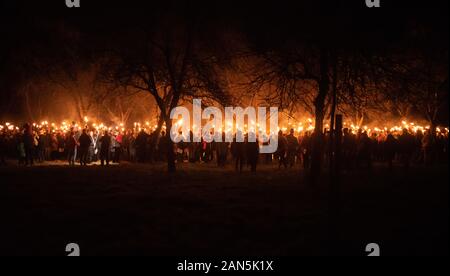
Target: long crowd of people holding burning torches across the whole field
[87,145]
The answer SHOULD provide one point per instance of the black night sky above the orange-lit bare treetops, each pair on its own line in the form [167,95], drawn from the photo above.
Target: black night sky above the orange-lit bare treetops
[26,23]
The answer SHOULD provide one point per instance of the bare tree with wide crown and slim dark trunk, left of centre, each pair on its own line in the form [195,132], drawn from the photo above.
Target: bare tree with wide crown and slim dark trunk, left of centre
[168,62]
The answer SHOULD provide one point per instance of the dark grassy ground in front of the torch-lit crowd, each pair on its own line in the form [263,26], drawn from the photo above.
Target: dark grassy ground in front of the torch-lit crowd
[203,210]
